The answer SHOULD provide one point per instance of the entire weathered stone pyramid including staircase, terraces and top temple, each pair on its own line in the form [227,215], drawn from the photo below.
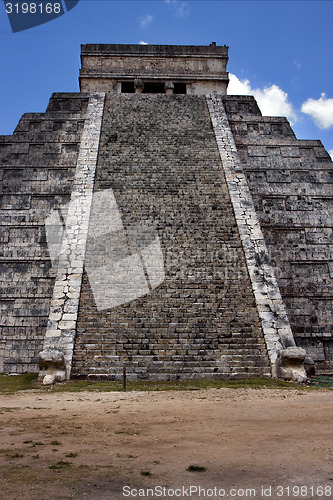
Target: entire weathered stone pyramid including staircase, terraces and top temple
[215,311]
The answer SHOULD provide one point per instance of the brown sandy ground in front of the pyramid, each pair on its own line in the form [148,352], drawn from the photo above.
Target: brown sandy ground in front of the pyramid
[132,445]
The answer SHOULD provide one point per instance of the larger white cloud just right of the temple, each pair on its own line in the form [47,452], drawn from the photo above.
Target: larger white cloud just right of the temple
[272,100]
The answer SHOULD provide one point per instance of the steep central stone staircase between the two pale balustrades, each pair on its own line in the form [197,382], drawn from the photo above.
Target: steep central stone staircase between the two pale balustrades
[158,155]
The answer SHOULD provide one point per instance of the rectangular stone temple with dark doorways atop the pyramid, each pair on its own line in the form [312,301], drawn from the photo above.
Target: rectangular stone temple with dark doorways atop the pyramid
[161,69]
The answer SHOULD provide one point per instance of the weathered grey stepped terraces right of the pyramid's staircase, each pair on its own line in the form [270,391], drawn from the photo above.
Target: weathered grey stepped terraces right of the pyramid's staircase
[291,185]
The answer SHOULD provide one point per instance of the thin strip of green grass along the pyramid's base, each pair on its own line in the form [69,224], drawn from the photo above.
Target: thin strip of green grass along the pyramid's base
[11,384]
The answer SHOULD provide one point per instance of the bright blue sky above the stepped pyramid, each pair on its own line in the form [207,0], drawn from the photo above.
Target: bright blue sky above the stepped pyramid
[280,51]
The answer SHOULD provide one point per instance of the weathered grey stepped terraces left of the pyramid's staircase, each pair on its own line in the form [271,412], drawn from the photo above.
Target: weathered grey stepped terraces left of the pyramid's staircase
[37,167]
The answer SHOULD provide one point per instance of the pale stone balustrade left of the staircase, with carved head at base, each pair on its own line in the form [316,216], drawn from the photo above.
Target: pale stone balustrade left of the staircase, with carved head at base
[55,360]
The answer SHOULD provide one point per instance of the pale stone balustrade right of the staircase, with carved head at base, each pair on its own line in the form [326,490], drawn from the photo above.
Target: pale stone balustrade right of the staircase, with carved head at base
[287,360]
